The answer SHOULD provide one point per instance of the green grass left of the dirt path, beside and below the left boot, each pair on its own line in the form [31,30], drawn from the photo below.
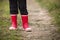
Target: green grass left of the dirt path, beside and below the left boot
[5,33]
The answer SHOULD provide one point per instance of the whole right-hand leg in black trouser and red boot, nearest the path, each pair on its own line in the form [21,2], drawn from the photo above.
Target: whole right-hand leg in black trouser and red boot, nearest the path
[24,14]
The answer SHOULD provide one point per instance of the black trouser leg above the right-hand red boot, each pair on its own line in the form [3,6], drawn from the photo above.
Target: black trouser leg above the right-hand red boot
[23,7]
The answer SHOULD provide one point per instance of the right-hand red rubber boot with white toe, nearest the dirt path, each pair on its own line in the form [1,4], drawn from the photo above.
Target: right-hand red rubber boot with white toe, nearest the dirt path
[25,23]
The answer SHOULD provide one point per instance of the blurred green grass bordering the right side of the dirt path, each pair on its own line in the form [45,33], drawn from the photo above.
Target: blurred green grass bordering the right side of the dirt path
[53,7]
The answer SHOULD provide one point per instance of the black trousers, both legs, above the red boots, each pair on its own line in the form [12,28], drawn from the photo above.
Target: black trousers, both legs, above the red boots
[18,4]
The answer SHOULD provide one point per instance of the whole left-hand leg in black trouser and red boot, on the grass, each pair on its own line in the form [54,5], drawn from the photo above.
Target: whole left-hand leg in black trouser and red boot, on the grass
[13,12]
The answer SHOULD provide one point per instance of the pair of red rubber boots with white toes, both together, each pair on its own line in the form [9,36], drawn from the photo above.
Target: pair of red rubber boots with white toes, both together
[24,22]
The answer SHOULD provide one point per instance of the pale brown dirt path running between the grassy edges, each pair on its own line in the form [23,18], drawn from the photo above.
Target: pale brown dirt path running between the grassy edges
[40,22]
